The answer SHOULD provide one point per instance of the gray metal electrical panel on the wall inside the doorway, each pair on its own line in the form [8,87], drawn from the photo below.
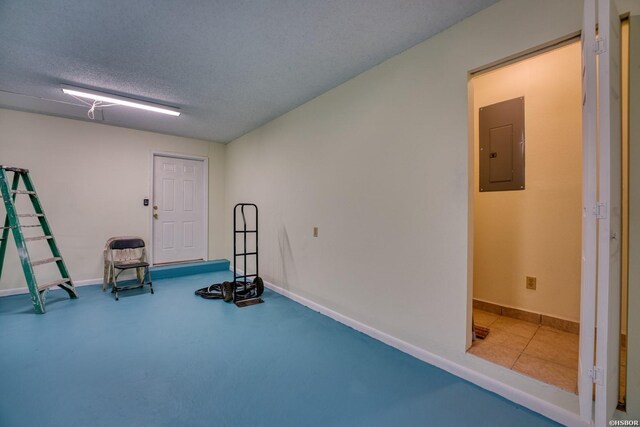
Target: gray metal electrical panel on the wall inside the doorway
[502,146]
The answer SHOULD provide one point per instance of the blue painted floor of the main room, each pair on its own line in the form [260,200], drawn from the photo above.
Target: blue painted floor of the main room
[174,359]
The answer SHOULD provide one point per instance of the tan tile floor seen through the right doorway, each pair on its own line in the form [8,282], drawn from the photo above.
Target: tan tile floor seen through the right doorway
[547,354]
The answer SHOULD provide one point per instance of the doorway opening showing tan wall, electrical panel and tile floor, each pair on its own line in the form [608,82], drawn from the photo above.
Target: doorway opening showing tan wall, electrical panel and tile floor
[527,237]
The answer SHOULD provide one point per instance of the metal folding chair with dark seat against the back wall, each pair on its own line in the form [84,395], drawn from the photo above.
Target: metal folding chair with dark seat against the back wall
[122,265]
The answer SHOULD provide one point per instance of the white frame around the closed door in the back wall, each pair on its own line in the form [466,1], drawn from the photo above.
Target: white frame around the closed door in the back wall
[205,176]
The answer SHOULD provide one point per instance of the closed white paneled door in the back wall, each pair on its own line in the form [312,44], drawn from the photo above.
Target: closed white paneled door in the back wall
[178,210]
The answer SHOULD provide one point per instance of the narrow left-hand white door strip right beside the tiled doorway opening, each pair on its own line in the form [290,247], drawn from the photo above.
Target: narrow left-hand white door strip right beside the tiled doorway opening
[586,359]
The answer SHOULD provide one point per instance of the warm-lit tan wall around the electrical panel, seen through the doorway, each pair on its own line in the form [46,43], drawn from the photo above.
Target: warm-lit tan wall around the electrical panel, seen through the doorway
[537,231]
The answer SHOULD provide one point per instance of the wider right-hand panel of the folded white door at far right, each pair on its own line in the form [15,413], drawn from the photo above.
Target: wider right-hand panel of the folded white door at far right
[609,198]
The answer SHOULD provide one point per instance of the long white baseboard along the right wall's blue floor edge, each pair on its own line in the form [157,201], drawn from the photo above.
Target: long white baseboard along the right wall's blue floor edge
[520,397]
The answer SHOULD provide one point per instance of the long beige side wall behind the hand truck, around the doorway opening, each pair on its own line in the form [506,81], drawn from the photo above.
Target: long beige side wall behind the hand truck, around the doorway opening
[380,165]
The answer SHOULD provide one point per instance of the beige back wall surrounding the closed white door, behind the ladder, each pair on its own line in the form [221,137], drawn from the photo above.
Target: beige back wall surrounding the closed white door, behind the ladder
[91,179]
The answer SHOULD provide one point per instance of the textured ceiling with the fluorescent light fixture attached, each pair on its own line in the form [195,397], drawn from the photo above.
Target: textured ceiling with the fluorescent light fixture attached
[229,65]
